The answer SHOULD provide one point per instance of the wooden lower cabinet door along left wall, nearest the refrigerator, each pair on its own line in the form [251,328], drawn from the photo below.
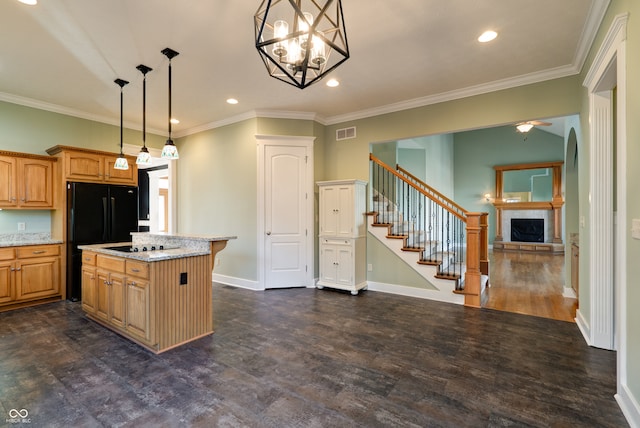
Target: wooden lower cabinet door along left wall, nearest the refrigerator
[37,278]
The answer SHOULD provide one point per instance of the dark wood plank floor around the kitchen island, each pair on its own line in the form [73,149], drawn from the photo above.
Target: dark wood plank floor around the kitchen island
[310,358]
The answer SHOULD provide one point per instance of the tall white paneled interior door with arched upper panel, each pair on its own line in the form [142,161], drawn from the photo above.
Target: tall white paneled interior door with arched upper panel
[287,238]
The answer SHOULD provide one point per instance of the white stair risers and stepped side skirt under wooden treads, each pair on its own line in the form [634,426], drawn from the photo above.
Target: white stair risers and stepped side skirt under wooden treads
[444,289]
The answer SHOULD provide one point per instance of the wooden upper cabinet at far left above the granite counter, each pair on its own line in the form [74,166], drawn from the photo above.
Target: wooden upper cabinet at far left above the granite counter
[26,181]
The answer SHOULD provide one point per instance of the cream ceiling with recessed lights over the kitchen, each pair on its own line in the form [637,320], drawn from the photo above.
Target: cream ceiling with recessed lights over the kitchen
[63,55]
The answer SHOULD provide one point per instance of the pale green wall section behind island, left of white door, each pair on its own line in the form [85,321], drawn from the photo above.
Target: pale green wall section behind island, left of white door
[217,192]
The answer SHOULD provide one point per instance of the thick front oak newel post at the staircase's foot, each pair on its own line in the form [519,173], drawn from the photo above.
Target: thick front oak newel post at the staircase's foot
[473,276]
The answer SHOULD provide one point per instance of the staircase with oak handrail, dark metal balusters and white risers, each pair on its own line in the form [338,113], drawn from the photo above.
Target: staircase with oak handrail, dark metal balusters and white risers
[440,240]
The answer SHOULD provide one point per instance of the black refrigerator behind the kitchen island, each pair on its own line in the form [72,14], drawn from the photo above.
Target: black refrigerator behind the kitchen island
[96,214]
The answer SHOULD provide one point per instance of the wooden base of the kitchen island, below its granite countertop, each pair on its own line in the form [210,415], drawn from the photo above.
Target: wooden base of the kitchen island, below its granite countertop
[164,304]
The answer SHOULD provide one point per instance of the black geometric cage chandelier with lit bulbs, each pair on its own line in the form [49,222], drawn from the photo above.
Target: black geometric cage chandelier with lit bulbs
[300,41]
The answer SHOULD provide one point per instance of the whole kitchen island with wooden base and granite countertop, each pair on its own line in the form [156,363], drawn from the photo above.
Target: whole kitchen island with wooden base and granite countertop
[155,290]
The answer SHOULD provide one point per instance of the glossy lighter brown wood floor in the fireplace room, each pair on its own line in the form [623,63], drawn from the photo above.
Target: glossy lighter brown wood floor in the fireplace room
[530,284]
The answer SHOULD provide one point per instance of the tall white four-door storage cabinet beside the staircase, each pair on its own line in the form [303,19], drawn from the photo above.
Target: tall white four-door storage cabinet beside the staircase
[343,245]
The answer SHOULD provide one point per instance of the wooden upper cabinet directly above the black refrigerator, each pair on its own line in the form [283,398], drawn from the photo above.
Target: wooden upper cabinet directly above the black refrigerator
[94,166]
